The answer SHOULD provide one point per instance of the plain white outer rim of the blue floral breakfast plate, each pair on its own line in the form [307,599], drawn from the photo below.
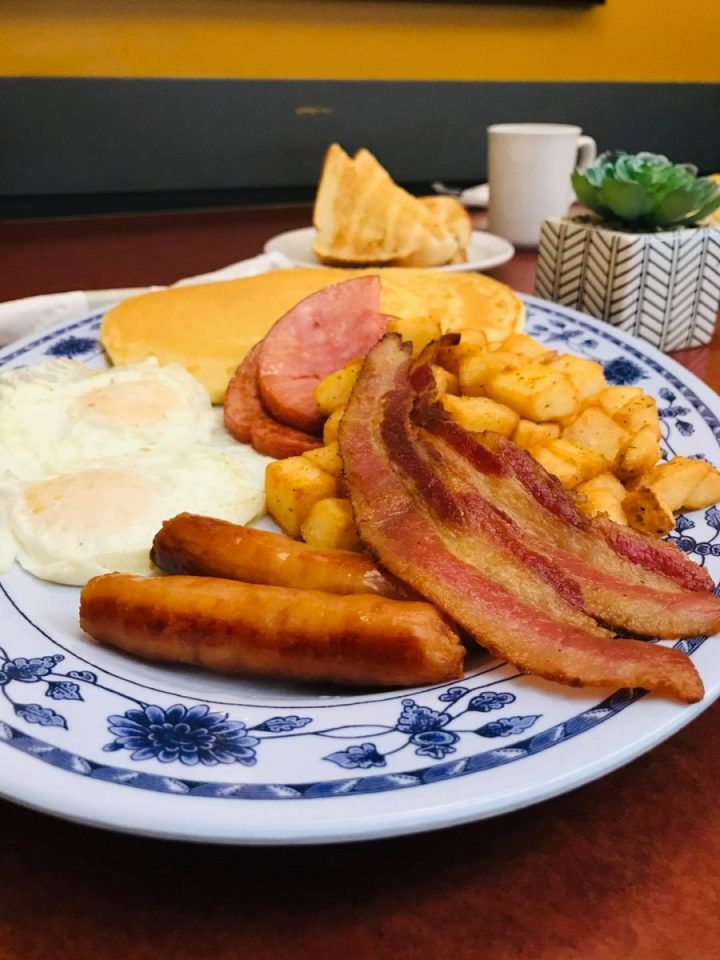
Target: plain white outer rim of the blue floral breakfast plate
[89,805]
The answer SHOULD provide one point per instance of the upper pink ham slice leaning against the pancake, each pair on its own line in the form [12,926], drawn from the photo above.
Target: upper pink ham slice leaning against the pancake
[317,337]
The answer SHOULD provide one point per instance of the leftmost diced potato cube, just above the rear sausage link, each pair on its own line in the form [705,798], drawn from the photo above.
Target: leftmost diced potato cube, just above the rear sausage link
[292,487]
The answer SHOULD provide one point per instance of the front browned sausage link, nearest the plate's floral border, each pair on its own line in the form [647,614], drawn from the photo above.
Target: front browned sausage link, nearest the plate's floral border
[238,628]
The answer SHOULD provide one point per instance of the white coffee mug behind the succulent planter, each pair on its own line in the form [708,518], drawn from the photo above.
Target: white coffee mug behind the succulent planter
[529,167]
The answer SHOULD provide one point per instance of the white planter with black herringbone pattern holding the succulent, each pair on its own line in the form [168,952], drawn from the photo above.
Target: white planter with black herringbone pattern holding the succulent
[663,287]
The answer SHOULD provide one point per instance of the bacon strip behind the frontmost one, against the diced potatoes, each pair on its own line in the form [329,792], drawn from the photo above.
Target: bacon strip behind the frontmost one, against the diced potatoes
[614,589]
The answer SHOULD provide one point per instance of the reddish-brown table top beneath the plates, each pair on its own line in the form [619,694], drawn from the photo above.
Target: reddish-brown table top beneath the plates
[626,868]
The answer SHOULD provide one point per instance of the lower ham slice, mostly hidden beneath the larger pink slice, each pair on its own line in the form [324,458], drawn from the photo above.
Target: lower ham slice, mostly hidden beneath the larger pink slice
[247,420]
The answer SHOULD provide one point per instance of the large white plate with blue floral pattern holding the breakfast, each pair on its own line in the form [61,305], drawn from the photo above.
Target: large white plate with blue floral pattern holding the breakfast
[314,764]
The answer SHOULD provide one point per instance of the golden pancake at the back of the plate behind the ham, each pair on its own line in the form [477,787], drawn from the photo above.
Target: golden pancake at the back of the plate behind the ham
[210,328]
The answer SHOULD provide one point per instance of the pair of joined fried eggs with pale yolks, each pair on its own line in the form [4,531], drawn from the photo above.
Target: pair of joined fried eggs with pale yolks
[92,462]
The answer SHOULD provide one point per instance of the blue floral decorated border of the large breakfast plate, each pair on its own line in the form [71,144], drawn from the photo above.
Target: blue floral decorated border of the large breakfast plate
[389,742]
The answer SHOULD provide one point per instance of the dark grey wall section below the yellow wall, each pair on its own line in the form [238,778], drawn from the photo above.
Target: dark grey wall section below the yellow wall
[92,137]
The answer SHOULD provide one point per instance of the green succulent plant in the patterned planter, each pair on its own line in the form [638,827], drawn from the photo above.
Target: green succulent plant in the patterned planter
[645,191]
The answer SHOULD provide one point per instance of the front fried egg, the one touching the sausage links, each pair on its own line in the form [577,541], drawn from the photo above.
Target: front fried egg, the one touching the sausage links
[103,517]
